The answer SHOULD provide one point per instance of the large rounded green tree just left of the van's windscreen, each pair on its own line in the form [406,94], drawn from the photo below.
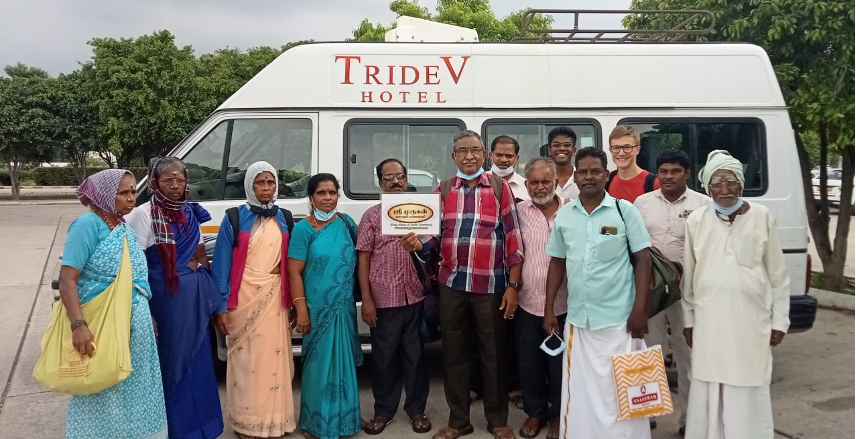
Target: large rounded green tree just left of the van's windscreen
[147,96]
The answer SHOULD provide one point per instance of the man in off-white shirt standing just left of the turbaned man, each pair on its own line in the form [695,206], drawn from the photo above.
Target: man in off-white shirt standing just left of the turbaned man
[665,212]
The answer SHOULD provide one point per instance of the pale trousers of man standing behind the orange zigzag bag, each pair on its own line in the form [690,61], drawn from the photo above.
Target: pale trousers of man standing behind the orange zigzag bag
[657,335]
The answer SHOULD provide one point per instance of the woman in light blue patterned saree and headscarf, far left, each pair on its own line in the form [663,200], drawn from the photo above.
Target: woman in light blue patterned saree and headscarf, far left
[91,258]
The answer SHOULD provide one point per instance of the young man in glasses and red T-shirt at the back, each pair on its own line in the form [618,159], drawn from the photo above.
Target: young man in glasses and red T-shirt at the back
[629,181]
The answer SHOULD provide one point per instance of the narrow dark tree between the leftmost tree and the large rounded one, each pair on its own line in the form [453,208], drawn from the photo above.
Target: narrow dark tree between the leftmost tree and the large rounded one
[76,128]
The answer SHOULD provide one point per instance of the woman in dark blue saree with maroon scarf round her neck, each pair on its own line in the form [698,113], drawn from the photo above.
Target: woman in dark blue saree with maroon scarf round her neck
[184,297]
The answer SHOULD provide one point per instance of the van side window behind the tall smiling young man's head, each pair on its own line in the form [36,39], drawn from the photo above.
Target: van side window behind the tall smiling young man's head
[532,135]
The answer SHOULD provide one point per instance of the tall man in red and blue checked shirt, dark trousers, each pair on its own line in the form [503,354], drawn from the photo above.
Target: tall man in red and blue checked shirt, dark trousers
[481,255]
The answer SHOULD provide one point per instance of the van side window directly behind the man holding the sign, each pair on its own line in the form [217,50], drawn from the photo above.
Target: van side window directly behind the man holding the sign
[424,146]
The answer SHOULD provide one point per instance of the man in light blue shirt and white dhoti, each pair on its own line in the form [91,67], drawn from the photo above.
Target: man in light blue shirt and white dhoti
[607,299]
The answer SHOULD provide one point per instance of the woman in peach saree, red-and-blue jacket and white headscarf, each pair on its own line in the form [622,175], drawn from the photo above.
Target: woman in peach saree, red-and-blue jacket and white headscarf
[249,276]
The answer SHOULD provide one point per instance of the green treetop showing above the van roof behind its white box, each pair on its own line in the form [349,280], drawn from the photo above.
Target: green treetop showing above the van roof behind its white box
[473,14]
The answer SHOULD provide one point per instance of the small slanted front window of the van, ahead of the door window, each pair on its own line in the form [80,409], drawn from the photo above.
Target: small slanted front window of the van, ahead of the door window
[204,163]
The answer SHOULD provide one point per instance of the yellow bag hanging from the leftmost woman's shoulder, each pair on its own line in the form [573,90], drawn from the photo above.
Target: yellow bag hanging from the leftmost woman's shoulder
[62,369]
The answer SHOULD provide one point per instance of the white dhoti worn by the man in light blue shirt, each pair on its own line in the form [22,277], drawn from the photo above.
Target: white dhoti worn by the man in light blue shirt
[589,401]
